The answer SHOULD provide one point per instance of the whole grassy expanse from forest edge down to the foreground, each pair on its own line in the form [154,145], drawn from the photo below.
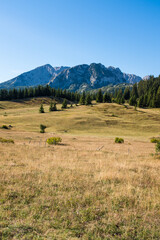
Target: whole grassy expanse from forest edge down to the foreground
[88,187]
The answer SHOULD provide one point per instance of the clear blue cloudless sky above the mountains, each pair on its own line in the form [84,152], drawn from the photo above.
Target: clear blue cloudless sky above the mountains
[120,33]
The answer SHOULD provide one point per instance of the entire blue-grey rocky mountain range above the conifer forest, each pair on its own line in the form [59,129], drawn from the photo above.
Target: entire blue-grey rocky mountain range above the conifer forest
[78,78]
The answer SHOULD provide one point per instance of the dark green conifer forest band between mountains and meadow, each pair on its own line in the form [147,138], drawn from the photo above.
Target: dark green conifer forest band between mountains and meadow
[144,94]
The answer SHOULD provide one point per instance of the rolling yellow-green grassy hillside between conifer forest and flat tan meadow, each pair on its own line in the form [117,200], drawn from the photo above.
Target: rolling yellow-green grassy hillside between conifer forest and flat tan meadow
[103,119]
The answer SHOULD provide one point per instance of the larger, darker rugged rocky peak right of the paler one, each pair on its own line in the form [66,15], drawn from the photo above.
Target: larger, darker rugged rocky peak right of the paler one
[93,76]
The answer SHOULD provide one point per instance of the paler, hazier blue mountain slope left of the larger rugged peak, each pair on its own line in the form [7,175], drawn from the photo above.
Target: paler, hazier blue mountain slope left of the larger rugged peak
[38,76]
